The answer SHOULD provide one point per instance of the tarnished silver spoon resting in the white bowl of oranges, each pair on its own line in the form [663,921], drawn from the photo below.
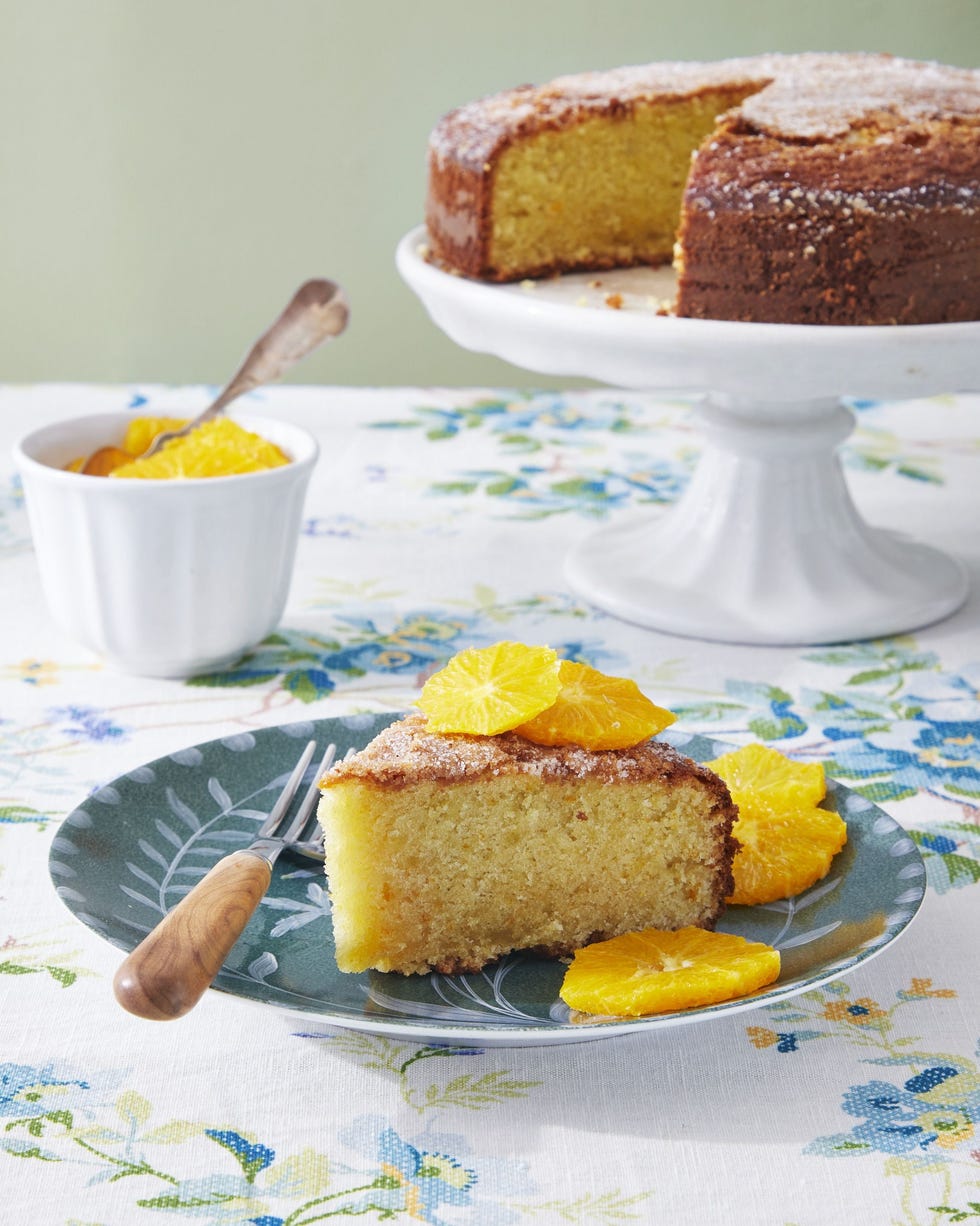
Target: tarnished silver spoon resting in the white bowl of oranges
[318,311]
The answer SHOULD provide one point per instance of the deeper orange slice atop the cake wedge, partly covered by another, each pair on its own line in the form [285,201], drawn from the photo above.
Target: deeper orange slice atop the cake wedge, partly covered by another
[597,713]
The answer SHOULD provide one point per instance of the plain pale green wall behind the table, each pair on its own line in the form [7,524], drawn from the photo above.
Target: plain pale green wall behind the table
[170,172]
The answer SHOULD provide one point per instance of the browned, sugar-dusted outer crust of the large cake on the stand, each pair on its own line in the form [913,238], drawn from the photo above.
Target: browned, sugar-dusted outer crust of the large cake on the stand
[842,189]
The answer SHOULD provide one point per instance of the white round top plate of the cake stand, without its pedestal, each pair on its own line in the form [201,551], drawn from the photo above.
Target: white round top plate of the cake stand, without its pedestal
[565,327]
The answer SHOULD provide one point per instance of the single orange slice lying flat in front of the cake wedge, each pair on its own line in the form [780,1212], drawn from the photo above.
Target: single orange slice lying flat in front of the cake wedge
[656,972]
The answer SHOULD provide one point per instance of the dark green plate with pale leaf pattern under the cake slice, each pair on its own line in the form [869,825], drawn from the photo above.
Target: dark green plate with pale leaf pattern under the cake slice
[137,847]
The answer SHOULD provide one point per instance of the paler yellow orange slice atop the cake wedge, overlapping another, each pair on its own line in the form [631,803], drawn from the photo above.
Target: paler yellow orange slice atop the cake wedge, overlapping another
[485,691]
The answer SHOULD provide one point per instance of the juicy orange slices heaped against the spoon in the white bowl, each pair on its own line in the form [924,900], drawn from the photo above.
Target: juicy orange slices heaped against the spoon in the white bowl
[220,448]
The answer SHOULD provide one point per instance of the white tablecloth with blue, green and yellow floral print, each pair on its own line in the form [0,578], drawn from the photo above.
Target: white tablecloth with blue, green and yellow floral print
[440,519]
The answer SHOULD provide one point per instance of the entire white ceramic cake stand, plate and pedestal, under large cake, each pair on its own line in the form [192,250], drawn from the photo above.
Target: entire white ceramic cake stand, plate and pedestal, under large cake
[766,546]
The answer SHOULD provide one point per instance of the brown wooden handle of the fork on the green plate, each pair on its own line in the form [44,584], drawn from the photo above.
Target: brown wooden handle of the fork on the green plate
[172,968]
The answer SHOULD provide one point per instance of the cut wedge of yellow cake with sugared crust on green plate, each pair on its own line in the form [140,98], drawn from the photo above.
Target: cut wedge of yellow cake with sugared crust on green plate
[448,851]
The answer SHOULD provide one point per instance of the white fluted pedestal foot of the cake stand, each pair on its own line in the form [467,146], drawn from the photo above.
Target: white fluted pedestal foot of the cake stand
[766,546]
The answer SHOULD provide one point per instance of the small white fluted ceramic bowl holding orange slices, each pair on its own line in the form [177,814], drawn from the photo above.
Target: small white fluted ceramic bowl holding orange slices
[164,578]
